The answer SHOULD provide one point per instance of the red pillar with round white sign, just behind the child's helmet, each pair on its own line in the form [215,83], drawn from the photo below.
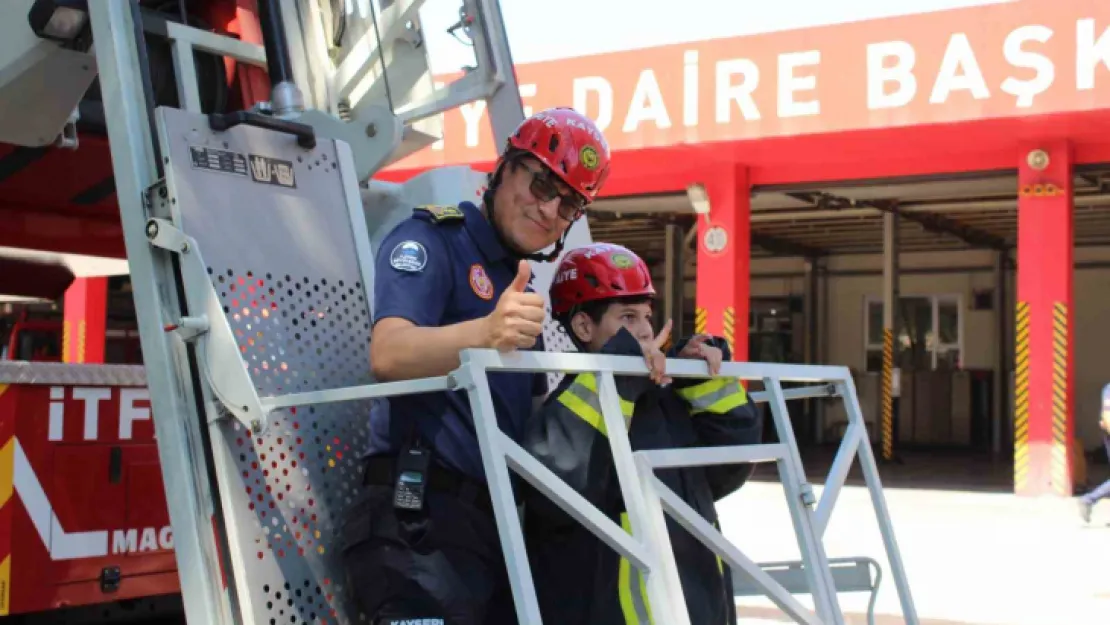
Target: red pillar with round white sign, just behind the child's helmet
[724,259]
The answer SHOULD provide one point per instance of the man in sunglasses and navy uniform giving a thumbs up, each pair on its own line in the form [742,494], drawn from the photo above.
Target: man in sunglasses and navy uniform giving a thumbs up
[421,541]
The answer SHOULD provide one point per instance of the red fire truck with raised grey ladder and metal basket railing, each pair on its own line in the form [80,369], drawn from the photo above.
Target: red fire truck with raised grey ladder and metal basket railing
[227,152]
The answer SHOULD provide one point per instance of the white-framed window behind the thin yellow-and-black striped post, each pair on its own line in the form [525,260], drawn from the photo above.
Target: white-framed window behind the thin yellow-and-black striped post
[931,337]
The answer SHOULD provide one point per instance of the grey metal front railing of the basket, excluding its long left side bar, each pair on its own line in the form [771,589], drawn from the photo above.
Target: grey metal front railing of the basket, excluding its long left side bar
[657,498]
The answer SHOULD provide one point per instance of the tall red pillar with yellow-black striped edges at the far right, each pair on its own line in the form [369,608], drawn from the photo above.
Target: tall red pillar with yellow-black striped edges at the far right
[1044,341]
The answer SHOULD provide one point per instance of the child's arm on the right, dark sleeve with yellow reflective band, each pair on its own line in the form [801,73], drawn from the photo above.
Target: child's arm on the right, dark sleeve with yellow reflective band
[722,416]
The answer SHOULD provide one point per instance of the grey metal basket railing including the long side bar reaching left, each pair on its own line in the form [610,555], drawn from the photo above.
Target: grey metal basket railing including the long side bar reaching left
[647,498]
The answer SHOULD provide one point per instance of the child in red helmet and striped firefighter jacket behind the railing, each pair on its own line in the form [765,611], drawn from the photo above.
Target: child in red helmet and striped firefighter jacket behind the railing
[602,296]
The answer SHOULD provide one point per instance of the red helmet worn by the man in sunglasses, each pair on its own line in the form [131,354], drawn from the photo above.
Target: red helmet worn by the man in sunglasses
[570,145]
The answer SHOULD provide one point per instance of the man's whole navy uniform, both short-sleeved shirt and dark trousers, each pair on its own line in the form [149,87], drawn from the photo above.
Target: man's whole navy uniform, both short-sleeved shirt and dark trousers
[442,267]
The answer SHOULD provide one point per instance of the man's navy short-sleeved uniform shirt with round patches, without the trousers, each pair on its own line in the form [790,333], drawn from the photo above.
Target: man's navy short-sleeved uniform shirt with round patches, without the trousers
[437,274]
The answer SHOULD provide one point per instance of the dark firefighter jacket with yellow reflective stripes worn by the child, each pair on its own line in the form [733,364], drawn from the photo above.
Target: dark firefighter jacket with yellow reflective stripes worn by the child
[580,580]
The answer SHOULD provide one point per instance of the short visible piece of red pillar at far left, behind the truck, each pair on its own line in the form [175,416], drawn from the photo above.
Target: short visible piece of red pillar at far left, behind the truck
[86,321]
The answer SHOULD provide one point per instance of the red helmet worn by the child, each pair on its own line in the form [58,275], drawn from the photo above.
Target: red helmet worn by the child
[599,271]
